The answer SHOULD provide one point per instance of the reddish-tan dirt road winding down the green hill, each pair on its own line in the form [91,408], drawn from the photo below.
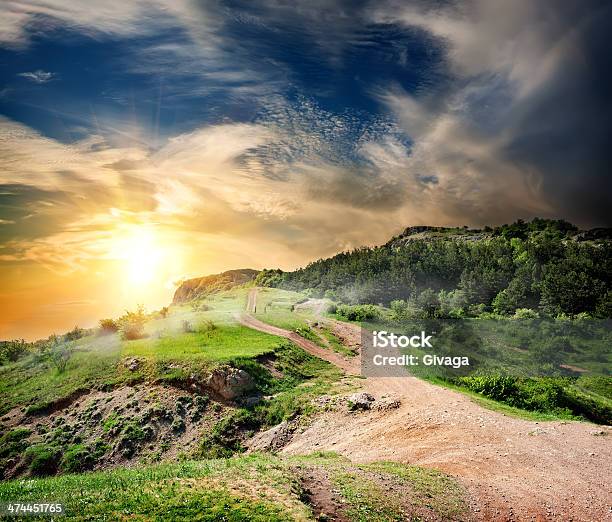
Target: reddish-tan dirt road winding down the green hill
[513,469]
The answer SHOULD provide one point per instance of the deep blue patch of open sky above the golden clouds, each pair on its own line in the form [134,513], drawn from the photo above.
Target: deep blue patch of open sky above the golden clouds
[160,79]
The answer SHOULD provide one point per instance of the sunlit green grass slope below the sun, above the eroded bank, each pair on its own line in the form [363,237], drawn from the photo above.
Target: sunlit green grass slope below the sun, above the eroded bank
[96,362]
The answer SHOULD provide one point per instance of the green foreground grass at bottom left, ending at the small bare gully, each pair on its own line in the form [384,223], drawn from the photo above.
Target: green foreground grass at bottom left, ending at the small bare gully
[250,488]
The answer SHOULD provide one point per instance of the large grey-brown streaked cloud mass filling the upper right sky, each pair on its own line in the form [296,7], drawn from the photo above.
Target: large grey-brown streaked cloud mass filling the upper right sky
[530,111]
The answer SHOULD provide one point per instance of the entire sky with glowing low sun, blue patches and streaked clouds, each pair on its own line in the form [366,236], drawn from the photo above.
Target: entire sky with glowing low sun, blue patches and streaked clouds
[144,142]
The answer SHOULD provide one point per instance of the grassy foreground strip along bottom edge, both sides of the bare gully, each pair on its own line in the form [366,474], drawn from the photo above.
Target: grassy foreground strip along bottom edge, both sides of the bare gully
[255,487]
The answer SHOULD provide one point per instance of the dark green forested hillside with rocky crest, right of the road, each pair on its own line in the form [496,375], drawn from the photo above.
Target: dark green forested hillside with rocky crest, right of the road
[544,266]
